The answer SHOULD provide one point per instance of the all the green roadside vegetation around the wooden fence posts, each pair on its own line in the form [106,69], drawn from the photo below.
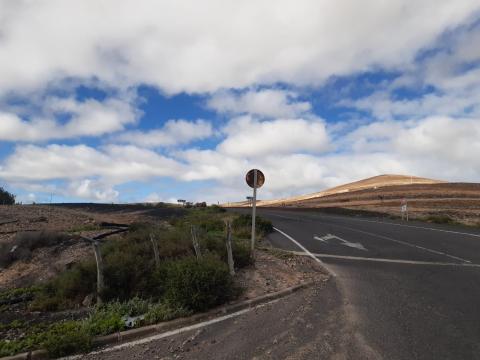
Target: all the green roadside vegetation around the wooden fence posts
[134,284]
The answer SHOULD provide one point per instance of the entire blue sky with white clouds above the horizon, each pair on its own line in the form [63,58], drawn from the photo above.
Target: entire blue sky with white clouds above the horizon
[139,101]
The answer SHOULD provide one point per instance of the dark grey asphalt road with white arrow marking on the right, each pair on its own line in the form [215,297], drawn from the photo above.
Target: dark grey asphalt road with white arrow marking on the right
[414,288]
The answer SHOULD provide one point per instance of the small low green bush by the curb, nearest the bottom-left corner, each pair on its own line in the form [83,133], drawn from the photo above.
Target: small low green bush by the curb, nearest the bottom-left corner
[67,338]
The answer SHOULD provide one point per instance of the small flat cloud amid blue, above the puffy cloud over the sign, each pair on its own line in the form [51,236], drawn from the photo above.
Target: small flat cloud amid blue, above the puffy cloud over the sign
[266,103]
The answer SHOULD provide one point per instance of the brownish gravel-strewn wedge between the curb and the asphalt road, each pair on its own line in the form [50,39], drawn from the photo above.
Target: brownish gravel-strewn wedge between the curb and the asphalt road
[313,323]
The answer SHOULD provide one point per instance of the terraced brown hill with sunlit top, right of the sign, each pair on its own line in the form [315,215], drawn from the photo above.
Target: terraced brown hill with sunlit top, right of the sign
[429,199]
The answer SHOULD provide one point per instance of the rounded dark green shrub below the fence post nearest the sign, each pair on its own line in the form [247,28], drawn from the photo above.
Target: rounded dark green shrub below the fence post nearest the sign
[197,284]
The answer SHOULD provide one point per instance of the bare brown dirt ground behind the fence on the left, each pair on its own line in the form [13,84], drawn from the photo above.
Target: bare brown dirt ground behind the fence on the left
[82,219]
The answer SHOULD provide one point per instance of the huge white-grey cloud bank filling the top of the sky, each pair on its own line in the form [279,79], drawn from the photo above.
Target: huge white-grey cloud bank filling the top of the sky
[194,46]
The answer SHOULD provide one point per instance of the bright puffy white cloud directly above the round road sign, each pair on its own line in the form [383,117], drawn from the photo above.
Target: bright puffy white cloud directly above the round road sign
[250,137]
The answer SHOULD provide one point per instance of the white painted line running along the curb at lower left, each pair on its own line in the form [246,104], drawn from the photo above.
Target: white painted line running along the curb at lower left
[170,333]
